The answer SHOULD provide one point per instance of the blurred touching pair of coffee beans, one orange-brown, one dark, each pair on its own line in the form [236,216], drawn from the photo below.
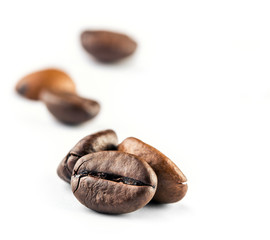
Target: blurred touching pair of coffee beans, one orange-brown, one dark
[57,90]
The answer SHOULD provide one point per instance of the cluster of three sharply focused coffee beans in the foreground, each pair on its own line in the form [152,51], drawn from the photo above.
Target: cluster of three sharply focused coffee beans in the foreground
[111,178]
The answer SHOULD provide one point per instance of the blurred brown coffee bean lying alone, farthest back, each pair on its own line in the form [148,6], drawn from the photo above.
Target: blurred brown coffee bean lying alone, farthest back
[107,46]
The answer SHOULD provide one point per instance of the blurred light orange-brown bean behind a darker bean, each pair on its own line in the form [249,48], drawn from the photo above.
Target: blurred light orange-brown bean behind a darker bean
[31,85]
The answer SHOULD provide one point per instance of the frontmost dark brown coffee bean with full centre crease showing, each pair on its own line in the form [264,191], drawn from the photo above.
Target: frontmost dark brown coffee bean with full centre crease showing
[113,182]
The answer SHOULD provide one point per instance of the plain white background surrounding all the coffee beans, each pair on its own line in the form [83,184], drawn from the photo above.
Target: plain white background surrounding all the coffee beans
[198,89]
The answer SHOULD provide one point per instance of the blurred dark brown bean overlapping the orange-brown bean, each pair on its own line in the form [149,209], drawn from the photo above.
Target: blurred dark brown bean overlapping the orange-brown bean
[70,108]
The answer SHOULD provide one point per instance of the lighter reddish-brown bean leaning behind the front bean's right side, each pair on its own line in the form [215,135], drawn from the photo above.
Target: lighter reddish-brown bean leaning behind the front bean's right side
[171,187]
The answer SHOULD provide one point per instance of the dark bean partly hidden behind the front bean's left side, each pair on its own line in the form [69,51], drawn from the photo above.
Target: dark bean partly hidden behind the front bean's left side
[100,141]
